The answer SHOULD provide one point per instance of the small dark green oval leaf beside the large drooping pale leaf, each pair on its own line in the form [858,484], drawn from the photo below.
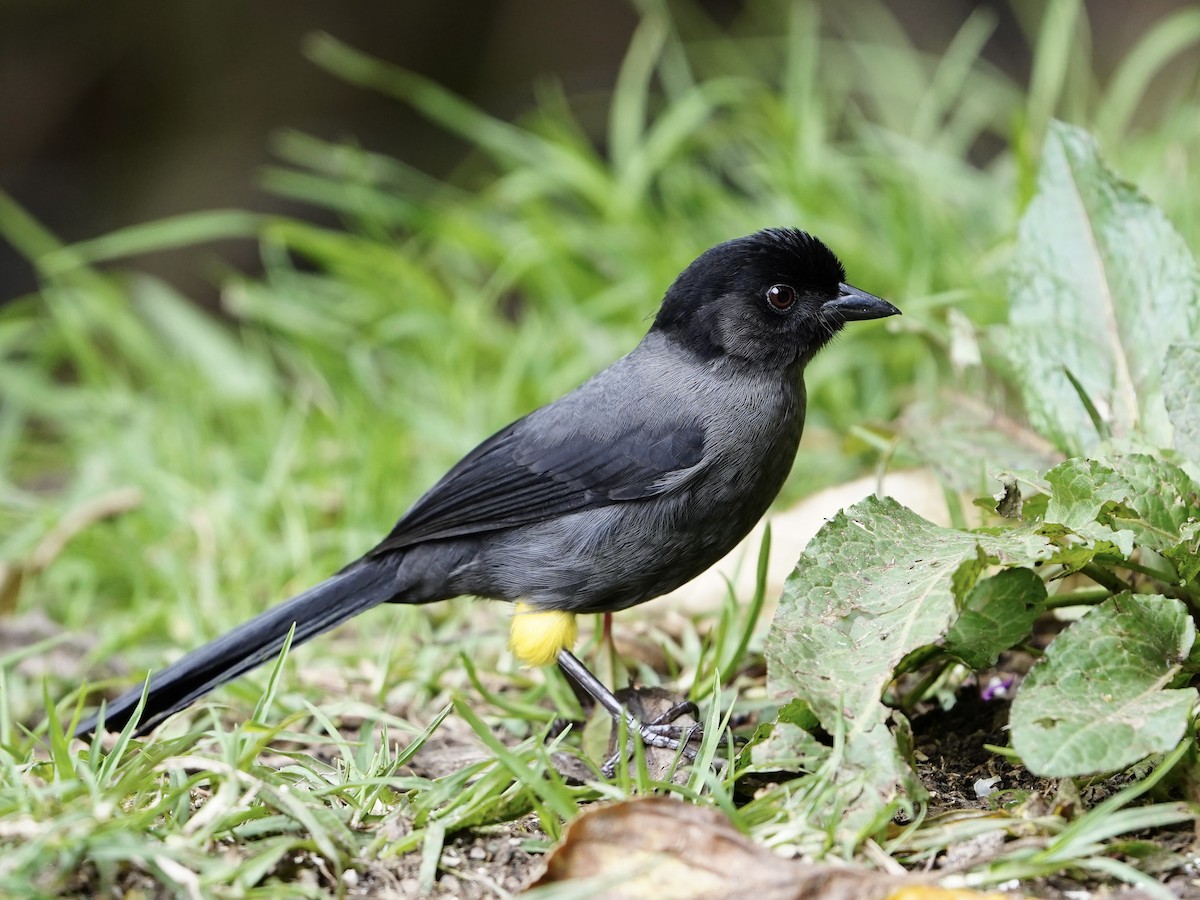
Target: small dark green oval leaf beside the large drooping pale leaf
[998,614]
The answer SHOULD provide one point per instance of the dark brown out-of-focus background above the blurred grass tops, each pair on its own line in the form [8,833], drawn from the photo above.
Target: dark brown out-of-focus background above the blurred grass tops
[117,113]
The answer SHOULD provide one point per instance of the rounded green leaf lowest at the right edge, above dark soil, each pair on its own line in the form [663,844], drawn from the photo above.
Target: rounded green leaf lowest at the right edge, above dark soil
[1100,701]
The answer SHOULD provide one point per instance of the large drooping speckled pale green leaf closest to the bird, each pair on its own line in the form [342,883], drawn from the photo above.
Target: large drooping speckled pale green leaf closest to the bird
[877,584]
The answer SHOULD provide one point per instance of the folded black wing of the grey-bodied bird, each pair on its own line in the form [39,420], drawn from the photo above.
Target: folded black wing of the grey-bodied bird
[521,476]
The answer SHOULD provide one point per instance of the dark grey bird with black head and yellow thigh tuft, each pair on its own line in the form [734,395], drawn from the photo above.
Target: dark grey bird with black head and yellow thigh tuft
[616,494]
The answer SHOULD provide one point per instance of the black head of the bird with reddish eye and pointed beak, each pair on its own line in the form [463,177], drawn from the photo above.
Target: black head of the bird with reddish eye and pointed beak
[772,299]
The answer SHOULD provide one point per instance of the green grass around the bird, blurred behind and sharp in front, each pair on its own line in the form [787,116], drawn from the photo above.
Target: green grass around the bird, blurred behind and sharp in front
[256,454]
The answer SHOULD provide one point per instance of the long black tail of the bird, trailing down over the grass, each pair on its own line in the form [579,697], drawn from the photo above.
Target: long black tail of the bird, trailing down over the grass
[357,589]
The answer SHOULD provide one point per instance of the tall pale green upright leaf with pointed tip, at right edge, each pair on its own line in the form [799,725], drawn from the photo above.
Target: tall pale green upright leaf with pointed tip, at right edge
[1100,278]
